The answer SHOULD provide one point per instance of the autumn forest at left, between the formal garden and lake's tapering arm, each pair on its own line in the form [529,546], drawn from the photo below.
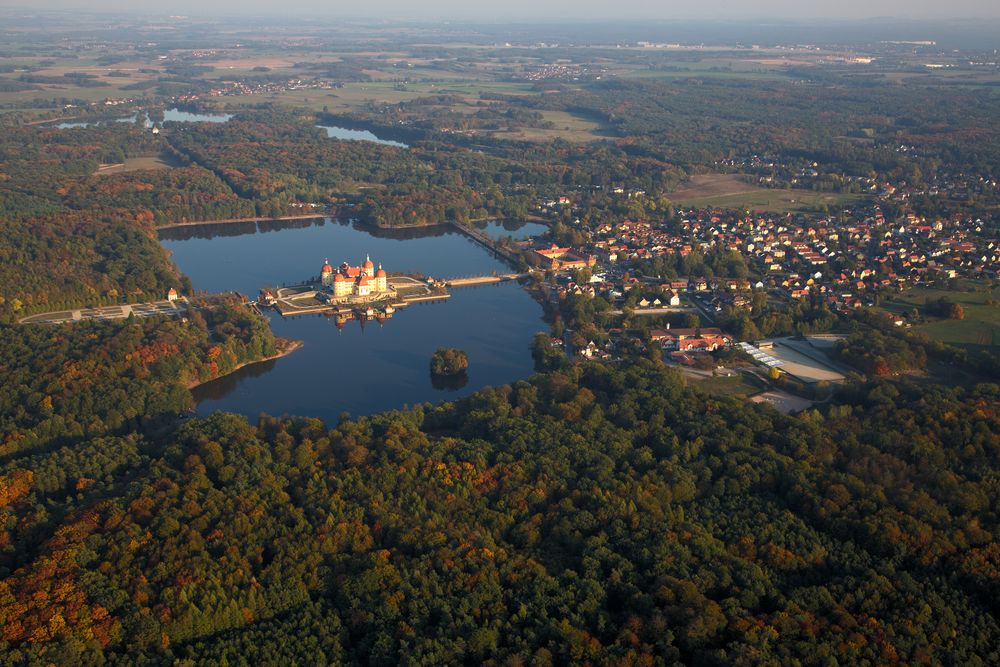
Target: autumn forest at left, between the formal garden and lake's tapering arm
[64,383]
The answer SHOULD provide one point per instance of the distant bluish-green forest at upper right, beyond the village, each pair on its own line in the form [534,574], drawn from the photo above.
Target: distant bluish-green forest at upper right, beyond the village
[692,120]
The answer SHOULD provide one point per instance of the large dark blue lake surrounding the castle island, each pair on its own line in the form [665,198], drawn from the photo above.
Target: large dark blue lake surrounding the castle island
[360,370]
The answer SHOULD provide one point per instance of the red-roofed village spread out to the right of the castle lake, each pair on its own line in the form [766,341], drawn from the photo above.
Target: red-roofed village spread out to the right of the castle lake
[838,263]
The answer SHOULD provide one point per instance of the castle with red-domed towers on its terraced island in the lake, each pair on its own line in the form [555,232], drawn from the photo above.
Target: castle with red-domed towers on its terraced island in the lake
[352,292]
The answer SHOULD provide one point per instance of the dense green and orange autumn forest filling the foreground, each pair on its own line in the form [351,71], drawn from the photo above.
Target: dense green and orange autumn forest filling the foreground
[593,515]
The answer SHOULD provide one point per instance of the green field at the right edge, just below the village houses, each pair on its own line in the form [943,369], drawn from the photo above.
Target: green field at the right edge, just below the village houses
[979,329]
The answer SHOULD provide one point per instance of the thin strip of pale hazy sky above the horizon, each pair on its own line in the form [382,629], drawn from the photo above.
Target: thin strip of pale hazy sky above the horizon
[518,9]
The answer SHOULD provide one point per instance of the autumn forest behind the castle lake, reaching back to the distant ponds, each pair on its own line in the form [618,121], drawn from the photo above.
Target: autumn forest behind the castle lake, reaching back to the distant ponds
[279,158]
